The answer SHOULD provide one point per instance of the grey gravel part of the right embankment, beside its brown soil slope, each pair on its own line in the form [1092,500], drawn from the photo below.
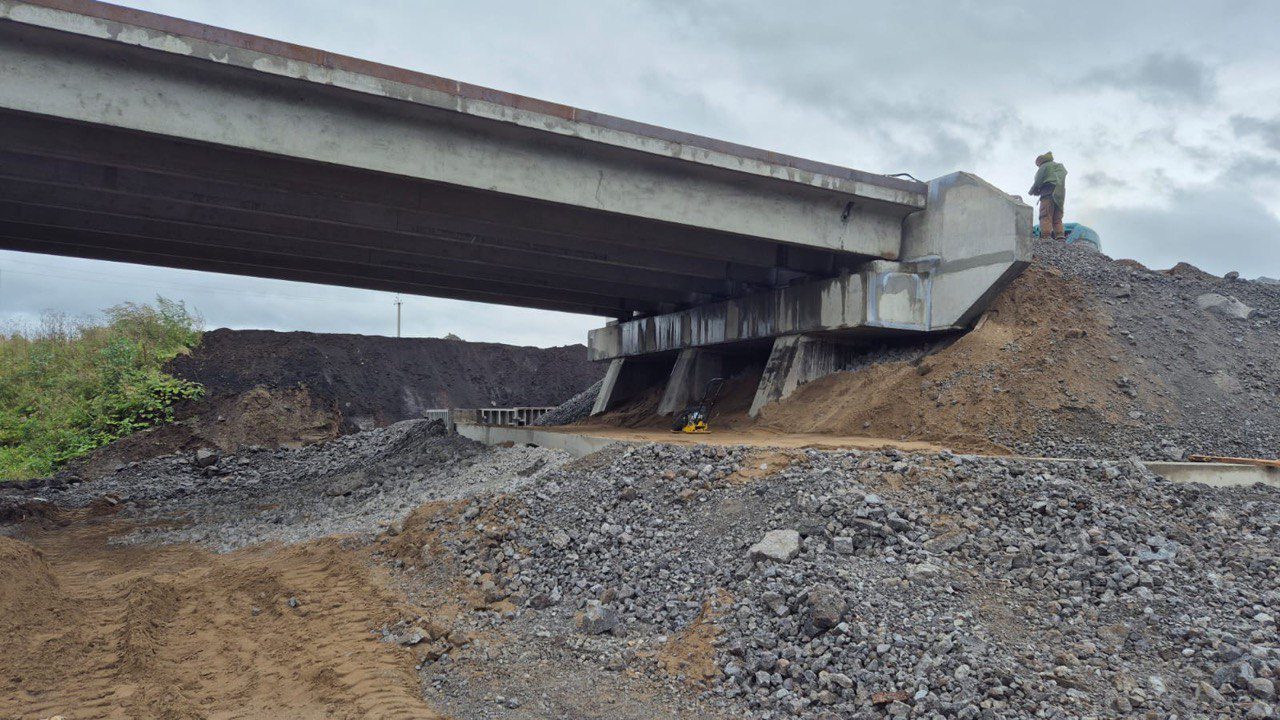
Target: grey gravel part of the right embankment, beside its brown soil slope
[1213,343]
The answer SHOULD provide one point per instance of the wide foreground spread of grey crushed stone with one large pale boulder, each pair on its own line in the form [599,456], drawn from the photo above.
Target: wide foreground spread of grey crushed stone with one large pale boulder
[872,585]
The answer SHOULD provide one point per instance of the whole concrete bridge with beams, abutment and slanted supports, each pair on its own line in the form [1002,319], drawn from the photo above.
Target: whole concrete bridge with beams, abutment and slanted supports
[145,139]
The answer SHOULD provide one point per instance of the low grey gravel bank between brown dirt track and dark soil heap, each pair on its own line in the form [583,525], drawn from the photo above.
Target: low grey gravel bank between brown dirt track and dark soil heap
[360,484]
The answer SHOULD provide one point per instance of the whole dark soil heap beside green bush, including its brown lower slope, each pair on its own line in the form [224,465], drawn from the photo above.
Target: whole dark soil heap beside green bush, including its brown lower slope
[269,390]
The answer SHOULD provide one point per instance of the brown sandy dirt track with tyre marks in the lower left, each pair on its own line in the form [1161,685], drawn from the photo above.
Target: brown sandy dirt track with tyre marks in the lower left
[100,631]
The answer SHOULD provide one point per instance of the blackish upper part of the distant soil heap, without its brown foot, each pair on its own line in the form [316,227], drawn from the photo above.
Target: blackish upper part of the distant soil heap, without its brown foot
[378,381]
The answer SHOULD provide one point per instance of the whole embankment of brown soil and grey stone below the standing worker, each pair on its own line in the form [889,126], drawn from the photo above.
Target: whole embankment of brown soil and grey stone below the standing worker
[1081,357]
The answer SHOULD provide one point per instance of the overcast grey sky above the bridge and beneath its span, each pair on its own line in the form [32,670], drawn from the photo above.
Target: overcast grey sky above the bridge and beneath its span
[1167,115]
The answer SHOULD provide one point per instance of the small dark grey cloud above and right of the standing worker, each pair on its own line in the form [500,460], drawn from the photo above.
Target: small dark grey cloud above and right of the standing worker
[1160,79]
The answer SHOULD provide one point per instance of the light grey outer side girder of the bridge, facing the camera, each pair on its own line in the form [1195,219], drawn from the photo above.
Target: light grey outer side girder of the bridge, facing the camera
[254,102]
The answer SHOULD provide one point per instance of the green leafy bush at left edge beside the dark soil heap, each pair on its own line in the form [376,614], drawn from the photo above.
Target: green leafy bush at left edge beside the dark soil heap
[71,388]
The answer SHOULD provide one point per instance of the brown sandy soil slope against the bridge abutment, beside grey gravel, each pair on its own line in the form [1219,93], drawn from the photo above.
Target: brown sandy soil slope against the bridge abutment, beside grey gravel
[1045,347]
